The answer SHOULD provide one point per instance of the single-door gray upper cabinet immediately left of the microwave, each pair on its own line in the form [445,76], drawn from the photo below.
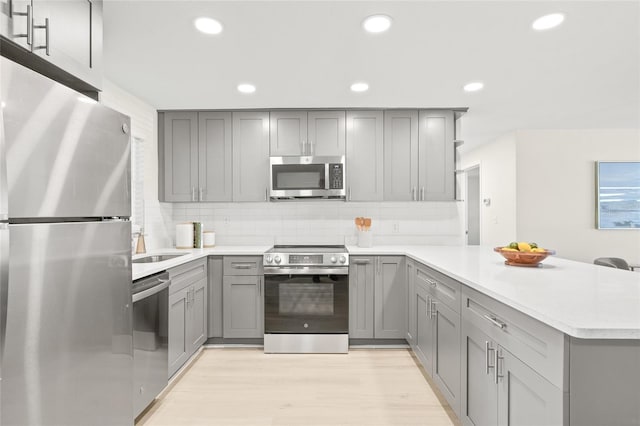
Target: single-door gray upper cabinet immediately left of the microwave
[250,156]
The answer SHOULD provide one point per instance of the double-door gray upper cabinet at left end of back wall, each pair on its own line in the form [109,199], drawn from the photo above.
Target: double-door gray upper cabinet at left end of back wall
[195,156]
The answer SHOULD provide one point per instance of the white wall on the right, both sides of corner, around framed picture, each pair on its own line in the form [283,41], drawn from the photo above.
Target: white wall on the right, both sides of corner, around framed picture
[542,188]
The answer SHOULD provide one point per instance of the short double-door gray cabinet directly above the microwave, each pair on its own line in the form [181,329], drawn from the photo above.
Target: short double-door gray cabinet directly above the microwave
[320,133]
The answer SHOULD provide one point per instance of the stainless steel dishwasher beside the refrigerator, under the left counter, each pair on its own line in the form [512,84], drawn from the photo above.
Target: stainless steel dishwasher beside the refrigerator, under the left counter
[150,339]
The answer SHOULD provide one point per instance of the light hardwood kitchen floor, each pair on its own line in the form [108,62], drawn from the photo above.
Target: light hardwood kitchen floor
[248,387]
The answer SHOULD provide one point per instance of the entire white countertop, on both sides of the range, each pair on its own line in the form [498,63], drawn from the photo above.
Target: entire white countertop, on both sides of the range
[579,299]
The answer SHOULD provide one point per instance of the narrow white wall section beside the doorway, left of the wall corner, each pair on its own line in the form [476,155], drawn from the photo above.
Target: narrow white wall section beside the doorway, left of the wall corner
[497,163]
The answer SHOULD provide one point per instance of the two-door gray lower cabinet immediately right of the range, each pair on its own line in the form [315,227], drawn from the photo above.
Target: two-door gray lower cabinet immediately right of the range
[377,297]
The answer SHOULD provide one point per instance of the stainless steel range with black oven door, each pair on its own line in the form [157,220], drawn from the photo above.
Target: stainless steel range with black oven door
[306,300]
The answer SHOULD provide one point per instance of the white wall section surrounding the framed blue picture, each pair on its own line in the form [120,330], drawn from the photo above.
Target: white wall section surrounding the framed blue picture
[556,201]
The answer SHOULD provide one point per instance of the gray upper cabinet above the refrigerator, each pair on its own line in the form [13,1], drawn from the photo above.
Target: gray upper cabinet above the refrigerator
[65,33]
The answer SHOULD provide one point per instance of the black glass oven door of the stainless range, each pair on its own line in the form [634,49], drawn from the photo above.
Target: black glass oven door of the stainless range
[306,304]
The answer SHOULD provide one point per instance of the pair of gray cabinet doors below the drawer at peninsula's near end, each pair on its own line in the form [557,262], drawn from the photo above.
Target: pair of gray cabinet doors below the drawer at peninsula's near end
[503,390]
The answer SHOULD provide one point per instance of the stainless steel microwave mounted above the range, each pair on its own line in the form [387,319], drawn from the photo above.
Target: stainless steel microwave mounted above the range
[307,177]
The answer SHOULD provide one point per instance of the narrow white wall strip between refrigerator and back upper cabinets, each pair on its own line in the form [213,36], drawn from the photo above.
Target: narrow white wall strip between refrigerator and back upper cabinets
[143,126]
